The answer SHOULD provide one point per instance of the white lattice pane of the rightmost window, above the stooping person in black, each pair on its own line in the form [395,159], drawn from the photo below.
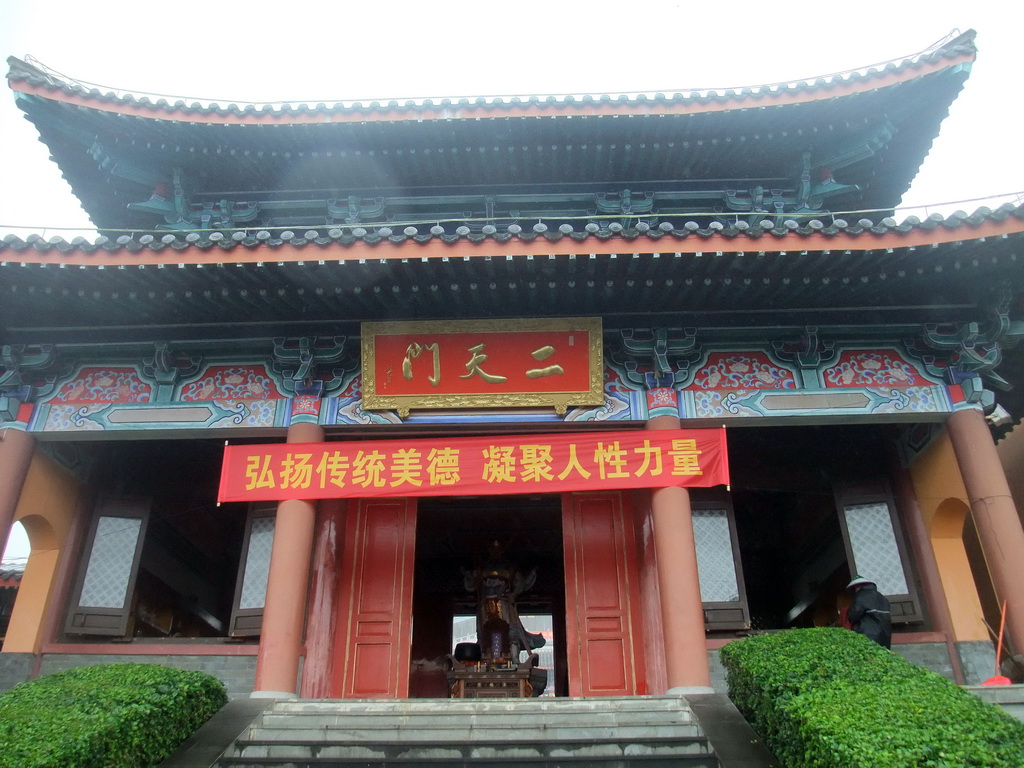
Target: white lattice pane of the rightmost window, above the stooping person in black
[875,550]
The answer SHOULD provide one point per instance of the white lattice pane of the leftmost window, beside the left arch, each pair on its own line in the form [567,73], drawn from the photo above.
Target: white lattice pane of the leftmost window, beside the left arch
[109,573]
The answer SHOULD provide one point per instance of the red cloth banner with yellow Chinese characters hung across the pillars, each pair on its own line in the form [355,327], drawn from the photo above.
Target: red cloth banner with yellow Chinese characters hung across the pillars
[465,466]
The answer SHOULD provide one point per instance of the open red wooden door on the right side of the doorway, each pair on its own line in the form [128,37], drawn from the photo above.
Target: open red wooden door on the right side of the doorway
[601,598]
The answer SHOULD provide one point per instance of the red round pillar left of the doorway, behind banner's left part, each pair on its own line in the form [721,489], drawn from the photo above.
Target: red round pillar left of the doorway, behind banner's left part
[284,612]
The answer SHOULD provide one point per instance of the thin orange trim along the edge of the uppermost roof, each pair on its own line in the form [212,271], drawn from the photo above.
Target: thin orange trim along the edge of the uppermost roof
[694,106]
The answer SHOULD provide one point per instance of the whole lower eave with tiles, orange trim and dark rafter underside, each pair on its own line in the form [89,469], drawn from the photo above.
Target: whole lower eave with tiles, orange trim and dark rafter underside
[937,271]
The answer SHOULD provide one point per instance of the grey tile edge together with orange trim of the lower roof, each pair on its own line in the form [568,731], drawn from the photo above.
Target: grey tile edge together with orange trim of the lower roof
[251,245]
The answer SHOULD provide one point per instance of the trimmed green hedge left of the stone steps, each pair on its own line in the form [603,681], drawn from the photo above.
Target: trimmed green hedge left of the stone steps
[105,717]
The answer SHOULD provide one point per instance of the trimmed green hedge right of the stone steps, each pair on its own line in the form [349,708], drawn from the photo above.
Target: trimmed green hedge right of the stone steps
[832,699]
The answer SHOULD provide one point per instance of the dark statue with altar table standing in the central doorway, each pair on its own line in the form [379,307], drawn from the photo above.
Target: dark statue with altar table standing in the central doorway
[496,665]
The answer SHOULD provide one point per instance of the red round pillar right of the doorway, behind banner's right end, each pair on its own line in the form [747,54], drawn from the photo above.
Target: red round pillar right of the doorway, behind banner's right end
[682,612]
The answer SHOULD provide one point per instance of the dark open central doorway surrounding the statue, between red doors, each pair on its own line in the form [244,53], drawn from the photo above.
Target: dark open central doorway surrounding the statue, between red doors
[453,536]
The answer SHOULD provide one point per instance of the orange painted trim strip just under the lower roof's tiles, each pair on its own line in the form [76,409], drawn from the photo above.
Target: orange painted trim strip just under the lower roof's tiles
[541,247]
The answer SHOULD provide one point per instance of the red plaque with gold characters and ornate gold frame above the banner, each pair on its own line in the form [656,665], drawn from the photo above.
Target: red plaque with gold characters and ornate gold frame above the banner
[483,364]
